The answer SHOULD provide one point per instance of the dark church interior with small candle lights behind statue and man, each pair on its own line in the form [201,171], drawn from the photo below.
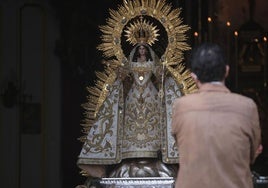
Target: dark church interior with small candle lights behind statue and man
[48,56]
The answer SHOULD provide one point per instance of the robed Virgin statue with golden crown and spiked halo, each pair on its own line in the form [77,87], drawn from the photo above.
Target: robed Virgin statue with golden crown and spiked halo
[127,121]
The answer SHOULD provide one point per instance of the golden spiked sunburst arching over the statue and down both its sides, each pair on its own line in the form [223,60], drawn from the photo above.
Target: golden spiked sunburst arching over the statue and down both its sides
[111,47]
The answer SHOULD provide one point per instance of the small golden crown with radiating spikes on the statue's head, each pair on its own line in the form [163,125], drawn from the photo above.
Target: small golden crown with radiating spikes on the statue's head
[141,31]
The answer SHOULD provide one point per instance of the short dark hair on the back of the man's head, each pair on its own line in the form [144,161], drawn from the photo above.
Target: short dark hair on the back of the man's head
[208,62]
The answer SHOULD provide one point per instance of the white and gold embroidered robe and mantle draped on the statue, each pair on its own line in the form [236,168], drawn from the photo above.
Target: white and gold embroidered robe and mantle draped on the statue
[135,124]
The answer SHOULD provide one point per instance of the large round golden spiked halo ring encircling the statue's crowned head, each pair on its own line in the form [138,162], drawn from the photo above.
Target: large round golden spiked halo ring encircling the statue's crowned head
[157,9]
